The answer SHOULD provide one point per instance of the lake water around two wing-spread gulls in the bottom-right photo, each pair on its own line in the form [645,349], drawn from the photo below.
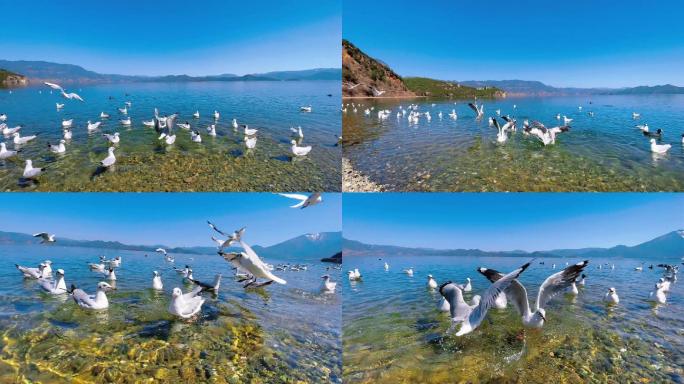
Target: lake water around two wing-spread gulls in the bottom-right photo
[394,333]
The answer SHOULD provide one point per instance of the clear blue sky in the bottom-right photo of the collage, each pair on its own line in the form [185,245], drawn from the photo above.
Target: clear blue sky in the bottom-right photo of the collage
[498,221]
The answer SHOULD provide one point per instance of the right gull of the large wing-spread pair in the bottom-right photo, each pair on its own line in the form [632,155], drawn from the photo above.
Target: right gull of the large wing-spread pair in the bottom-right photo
[554,284]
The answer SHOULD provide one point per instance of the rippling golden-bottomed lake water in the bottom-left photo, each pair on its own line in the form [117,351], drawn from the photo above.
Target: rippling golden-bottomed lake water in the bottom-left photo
[287,333]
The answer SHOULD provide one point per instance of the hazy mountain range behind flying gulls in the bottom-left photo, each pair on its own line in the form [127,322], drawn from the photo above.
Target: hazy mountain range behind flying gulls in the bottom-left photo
[308,247]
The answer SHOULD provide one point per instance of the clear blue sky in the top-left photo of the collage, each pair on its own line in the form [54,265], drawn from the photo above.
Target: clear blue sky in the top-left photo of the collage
[159,37]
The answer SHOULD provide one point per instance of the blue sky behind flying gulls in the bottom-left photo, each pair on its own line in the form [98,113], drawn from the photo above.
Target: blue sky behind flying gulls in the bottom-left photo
[174,219]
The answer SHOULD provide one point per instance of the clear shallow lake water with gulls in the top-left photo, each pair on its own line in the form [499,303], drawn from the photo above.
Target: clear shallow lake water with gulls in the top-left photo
[144,164]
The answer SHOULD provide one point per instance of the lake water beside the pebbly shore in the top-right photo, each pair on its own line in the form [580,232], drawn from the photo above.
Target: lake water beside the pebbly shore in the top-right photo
[601,153]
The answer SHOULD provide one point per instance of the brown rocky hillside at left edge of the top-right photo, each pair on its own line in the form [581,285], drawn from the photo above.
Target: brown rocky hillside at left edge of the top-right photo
[361,73]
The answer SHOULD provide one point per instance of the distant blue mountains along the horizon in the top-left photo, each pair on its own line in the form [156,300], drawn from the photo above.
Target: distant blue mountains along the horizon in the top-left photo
[39,71]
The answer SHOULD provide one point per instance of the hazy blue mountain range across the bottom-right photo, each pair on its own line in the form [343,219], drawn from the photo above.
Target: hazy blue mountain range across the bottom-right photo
[668,245]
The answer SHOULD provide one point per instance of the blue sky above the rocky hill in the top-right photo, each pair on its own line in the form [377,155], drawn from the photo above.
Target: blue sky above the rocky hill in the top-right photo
[582,43]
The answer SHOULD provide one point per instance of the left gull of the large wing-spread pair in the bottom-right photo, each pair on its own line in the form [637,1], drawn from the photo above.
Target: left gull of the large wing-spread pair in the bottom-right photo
[473,318]
